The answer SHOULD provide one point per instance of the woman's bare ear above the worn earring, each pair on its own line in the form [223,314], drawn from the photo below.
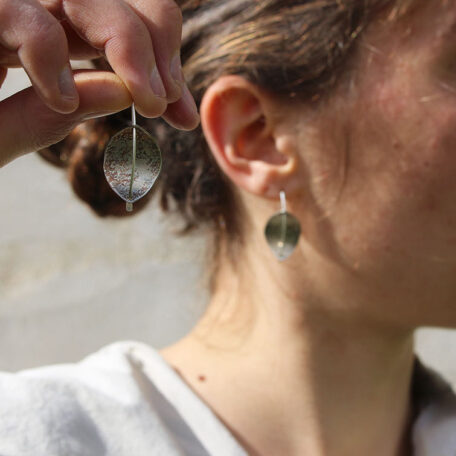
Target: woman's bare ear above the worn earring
[239,123]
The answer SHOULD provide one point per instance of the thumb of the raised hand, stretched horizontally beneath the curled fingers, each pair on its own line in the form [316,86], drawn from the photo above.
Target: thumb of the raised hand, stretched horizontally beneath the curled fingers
[27,124]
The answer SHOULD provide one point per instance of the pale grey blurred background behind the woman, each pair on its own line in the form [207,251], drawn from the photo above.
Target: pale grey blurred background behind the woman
[71,282]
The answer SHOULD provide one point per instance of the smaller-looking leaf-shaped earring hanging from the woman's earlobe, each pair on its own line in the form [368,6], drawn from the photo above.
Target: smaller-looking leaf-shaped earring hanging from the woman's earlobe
[282,231]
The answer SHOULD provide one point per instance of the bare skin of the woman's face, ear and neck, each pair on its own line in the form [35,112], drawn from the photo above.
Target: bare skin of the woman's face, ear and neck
[314,355]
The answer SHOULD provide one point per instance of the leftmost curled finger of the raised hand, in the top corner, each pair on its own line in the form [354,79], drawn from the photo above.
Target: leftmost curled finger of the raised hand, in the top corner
[40,42]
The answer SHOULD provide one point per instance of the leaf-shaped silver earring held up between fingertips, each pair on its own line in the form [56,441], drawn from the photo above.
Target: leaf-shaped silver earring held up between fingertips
[132,162]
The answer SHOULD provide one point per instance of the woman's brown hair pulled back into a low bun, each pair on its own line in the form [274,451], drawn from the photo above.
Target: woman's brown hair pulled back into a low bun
[293,48]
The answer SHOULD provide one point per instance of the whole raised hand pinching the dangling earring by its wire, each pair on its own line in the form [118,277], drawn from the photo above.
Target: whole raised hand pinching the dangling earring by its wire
[141,41]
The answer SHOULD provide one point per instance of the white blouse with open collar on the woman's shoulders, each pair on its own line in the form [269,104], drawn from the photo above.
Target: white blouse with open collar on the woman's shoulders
[125,400]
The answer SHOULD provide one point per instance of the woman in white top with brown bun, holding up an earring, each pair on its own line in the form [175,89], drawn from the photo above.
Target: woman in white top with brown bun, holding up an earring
[348,108]
